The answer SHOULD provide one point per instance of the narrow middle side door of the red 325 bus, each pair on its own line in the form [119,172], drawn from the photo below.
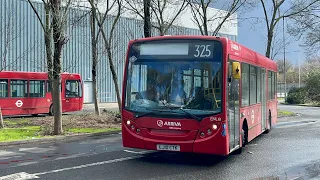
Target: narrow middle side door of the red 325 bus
[263,98]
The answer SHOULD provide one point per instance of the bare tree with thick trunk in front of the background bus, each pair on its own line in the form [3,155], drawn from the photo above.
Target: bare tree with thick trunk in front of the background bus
[55,39]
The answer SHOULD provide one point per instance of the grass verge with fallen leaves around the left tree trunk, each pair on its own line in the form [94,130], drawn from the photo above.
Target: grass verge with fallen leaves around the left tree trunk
[42,127]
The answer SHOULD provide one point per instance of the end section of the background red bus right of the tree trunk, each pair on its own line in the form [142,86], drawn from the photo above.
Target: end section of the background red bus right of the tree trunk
[72,94]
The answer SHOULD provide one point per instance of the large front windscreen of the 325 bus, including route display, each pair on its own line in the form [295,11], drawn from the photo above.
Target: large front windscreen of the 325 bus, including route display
[174,75]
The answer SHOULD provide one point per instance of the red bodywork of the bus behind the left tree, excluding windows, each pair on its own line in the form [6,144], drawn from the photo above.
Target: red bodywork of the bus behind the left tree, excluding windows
[37,104]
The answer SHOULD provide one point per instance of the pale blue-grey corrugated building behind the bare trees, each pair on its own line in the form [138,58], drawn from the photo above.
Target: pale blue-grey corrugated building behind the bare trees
[22,42]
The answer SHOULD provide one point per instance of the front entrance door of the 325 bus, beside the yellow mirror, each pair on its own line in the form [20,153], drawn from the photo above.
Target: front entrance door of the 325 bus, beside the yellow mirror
[233,109]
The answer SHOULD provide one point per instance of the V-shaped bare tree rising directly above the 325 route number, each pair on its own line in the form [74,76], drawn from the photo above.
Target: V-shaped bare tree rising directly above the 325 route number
[202,18]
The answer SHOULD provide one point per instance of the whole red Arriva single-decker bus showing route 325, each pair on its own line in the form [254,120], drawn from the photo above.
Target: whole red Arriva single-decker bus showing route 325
[196,94]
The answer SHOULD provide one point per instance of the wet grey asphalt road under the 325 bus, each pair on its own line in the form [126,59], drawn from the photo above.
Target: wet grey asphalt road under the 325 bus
[289,151]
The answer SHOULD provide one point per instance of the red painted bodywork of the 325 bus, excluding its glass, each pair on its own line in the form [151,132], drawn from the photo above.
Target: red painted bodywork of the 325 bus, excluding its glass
[188,137]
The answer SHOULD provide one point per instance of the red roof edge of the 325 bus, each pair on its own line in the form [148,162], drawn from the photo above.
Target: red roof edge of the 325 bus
[236,50]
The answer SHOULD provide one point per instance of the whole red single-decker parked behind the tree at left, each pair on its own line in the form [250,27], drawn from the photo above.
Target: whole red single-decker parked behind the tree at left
[24,93]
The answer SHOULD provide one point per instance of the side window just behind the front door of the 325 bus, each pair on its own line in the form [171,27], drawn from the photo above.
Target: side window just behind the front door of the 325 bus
[245,84]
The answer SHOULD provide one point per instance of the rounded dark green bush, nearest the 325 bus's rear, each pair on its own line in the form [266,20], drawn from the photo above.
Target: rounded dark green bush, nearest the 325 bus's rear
[297,96]
